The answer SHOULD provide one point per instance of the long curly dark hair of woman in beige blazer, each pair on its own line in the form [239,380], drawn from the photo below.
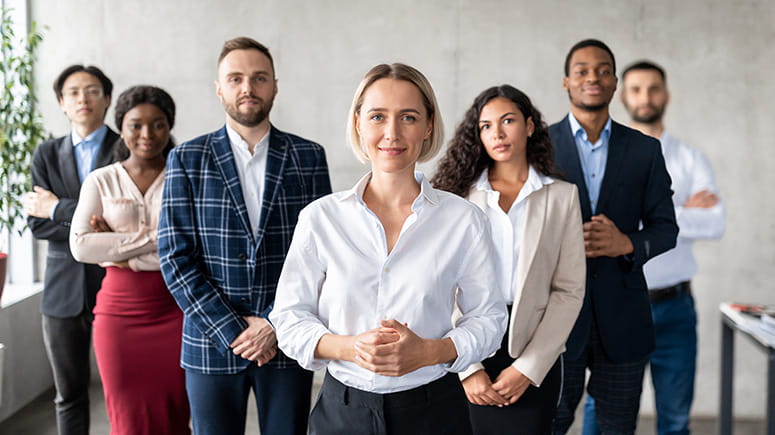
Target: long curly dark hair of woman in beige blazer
[466,157]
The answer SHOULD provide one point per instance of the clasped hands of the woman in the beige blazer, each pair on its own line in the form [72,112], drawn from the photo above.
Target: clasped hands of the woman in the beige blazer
[506,390]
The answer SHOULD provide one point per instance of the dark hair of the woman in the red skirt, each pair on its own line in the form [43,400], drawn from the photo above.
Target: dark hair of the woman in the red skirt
[135,96]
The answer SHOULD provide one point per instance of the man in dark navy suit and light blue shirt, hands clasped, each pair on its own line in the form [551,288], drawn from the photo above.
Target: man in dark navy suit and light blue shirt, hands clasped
[628,214]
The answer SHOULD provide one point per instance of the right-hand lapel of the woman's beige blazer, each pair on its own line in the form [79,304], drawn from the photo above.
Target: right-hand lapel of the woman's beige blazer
[535,214]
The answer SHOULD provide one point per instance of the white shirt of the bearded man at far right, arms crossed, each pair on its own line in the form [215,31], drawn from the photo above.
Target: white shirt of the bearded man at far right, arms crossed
[690,172]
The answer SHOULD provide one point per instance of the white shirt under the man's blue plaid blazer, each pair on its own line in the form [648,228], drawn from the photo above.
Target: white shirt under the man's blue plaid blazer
[251,169]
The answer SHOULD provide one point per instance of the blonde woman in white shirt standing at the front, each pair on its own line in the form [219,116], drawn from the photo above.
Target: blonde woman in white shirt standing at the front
[368,286]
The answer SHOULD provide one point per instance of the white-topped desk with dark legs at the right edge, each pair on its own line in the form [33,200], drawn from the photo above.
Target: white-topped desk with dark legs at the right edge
[751,327]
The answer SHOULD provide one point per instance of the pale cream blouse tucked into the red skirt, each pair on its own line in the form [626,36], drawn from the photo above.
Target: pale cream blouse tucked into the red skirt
[111,193]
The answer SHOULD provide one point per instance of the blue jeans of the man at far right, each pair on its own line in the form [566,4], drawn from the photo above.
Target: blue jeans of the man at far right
[672,364]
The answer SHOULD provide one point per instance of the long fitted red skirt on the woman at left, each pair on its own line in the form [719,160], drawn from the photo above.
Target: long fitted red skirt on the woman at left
[137,336]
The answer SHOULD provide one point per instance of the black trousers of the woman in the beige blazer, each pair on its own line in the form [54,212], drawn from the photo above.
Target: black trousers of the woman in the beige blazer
[531,414]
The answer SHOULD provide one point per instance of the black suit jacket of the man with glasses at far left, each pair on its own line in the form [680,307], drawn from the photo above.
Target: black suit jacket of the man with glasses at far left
[70,287]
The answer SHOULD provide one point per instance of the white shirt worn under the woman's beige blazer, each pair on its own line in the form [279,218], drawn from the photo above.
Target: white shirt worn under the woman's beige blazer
[508,228]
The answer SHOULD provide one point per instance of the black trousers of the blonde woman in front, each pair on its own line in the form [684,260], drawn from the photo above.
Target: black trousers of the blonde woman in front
[436,408]
